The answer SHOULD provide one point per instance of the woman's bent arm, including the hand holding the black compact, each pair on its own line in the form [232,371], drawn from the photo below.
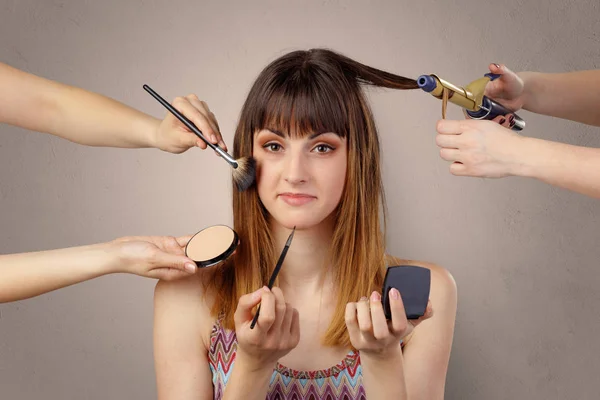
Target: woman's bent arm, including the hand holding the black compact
[418,372]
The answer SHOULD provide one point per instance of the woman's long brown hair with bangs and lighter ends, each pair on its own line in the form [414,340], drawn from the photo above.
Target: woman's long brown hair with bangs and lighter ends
[309,91]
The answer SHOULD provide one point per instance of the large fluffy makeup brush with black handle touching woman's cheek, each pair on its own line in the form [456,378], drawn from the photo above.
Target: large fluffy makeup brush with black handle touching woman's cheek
[244,169]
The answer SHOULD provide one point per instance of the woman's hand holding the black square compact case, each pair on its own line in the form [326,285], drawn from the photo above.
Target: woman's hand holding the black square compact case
[370,332]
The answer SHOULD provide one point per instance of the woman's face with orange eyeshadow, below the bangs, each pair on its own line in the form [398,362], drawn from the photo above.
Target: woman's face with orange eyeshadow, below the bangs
[300,181]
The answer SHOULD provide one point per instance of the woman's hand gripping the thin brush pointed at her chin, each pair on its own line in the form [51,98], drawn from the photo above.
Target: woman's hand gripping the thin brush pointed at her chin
[276,333]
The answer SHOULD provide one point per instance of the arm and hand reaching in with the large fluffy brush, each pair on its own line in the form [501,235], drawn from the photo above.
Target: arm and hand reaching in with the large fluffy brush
[88,118]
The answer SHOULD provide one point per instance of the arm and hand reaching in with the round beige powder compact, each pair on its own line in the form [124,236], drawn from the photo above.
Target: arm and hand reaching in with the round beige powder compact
[27,275]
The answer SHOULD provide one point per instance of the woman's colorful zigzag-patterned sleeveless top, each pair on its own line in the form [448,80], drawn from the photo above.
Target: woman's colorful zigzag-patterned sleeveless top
[343,381]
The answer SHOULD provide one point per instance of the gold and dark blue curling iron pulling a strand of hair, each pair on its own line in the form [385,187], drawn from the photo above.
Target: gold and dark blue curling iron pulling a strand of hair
[471,98]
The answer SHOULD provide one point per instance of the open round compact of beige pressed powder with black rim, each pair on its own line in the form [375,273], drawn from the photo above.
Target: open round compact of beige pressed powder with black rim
[211,245]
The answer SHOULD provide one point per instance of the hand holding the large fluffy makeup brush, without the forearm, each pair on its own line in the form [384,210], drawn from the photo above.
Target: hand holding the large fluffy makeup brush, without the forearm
[174,137]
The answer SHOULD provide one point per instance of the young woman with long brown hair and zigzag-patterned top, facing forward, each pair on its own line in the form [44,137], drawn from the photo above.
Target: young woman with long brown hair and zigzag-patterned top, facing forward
[322,332]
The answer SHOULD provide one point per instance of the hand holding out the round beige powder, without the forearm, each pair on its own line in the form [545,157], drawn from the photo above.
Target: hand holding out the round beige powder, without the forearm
[160,257]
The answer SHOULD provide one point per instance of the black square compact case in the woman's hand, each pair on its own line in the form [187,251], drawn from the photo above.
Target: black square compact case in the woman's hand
[413,283]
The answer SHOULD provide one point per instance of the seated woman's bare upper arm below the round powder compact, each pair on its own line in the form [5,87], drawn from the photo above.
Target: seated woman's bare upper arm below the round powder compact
[181,341]
